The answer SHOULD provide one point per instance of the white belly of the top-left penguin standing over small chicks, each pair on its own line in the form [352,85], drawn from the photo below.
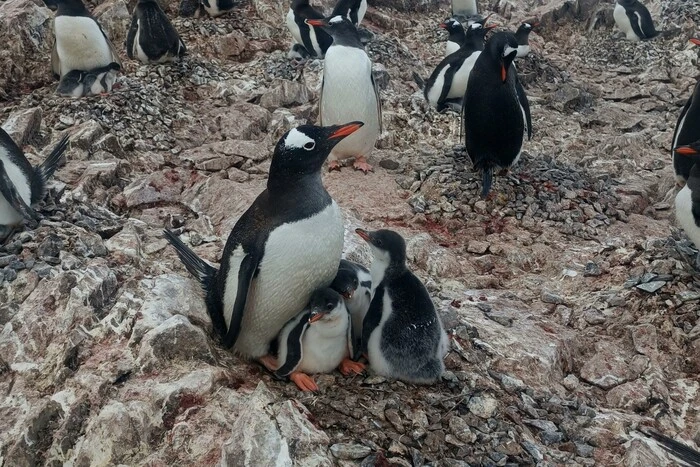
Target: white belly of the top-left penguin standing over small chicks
[80,44]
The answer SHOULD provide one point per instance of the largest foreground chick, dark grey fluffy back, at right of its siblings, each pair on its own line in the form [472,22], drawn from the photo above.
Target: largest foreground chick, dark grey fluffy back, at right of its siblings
[402,334]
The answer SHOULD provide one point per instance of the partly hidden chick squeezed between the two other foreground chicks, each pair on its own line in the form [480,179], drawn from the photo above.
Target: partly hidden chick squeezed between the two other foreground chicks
[354,282]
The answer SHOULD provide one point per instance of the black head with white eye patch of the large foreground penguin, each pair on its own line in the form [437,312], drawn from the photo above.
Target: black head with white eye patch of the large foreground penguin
[304,149]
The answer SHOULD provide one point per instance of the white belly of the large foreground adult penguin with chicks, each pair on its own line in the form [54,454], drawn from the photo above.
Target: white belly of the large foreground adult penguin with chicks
[299,258]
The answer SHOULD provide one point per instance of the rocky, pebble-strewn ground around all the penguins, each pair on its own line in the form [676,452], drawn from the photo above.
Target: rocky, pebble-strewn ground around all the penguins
[571,299]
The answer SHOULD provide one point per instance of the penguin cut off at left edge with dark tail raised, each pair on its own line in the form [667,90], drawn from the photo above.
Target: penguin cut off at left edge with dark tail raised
[22,185]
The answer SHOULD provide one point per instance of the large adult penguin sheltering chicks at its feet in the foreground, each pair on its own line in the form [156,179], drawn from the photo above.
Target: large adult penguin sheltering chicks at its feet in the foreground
[285,246]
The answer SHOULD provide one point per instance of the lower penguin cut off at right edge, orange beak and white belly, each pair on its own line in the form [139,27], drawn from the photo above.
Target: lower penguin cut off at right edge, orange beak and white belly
[688,199]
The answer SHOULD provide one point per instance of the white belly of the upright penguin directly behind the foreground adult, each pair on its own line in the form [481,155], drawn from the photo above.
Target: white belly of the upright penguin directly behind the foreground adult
[348,95]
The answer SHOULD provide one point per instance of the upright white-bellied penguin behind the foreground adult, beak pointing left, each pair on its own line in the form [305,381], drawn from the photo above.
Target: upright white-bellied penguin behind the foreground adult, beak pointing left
[349,92]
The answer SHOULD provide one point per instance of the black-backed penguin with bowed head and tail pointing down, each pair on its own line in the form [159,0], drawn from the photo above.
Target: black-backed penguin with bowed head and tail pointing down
[496,110]
